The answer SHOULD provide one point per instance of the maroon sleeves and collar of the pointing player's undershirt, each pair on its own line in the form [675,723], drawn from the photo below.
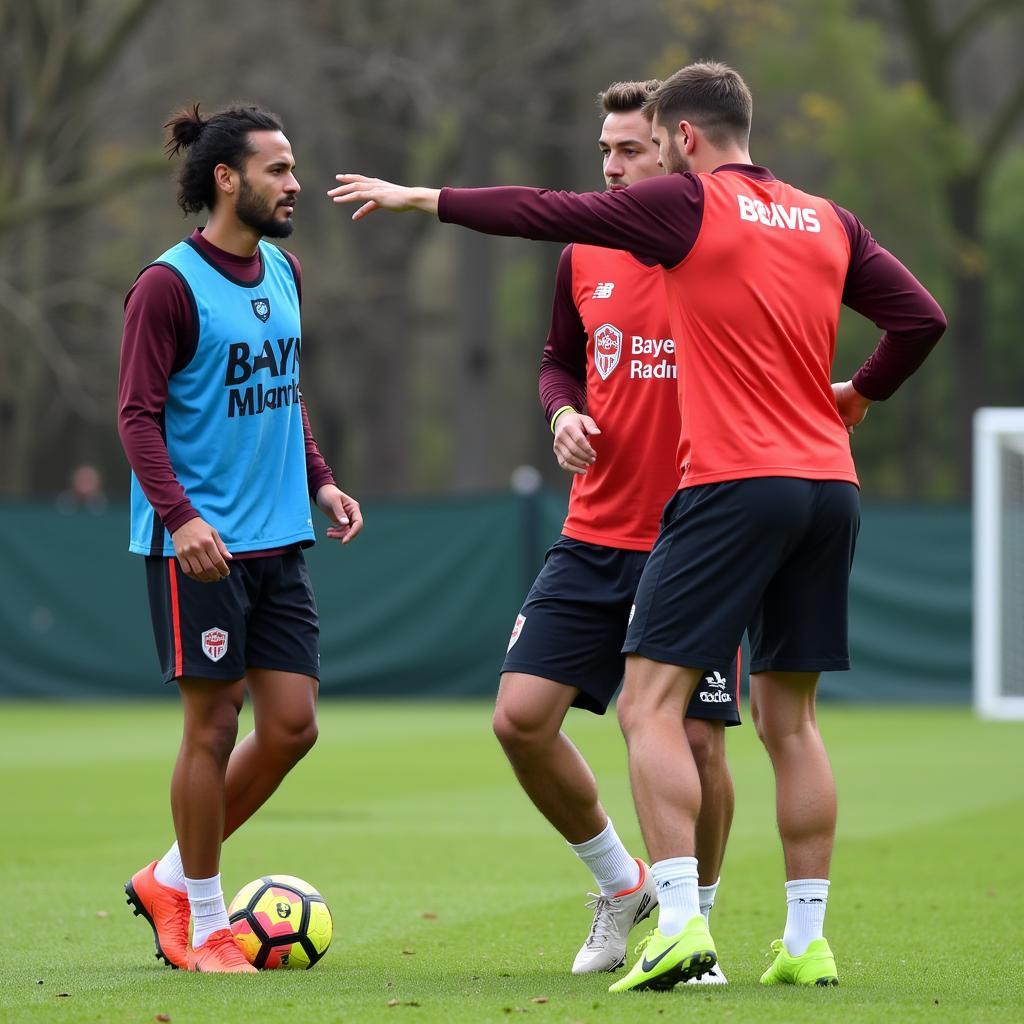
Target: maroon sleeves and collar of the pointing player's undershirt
[661,220]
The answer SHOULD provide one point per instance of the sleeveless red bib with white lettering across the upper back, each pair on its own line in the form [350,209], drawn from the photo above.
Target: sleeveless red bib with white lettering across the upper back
[757,302]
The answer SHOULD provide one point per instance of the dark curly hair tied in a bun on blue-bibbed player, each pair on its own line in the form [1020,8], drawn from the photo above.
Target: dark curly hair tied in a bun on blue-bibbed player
[221,139]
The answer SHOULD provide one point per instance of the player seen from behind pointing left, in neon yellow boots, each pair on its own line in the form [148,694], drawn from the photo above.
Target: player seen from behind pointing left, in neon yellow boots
[761,534]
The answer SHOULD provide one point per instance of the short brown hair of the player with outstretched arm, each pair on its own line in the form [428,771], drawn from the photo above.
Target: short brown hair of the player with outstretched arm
[712,96]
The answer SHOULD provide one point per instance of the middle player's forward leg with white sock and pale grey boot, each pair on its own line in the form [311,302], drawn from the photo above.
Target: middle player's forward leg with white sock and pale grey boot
[528,722]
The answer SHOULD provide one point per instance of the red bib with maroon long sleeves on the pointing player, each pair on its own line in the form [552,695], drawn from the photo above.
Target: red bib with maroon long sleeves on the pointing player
[755,275]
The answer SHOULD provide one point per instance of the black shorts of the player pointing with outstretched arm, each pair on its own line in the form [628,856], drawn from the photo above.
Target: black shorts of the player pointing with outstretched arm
[770,556]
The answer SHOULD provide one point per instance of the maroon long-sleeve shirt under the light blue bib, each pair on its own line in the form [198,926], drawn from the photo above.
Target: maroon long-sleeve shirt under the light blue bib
[159,339]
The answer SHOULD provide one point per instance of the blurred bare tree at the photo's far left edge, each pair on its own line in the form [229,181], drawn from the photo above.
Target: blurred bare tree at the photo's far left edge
[56,57]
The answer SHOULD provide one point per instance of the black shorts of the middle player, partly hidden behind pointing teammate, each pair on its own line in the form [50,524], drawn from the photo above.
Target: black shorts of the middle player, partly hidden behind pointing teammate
[572,627]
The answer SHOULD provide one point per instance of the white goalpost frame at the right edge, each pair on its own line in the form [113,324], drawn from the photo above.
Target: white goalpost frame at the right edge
[999,564]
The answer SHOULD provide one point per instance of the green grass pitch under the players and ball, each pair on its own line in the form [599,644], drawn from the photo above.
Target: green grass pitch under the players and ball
[453,898]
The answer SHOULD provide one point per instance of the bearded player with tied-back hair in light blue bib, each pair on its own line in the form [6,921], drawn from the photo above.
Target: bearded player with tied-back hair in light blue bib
[224,466]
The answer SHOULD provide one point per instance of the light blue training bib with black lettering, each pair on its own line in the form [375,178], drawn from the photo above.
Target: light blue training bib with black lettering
[233,422]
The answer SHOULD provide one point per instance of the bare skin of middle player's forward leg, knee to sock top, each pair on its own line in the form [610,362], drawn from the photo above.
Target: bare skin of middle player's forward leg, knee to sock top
[528,722]
